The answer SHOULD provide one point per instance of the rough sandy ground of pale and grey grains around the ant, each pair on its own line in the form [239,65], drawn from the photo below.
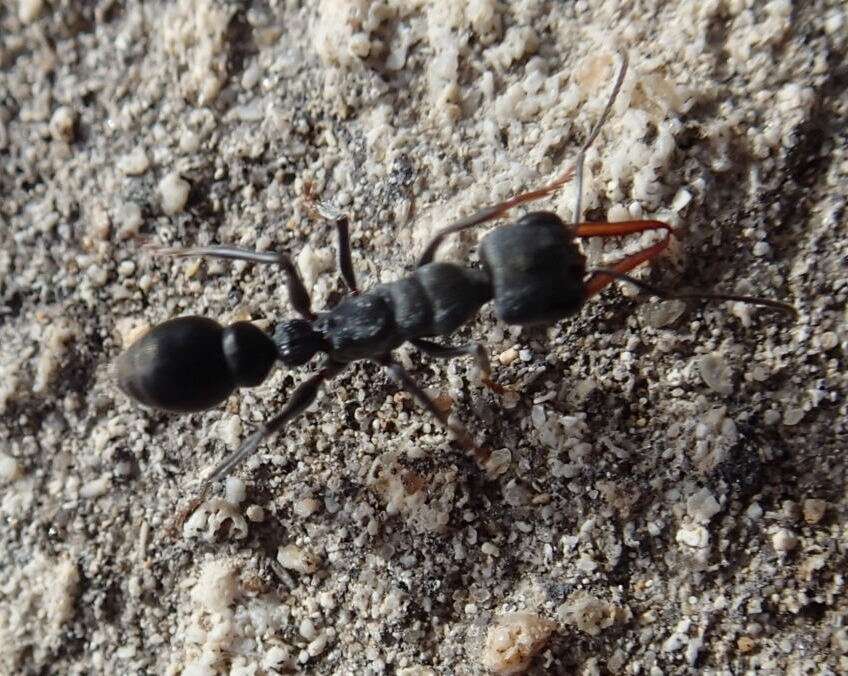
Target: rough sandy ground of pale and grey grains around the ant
[666,491]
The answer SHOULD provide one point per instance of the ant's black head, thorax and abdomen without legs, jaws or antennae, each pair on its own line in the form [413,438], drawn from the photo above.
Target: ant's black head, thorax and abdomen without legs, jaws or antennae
[532,270]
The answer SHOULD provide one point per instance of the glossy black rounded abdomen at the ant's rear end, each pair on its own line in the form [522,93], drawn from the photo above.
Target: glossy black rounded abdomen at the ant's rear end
[193,363]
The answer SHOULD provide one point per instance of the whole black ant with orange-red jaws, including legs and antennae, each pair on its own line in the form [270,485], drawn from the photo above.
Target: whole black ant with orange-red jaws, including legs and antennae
[532,270]
